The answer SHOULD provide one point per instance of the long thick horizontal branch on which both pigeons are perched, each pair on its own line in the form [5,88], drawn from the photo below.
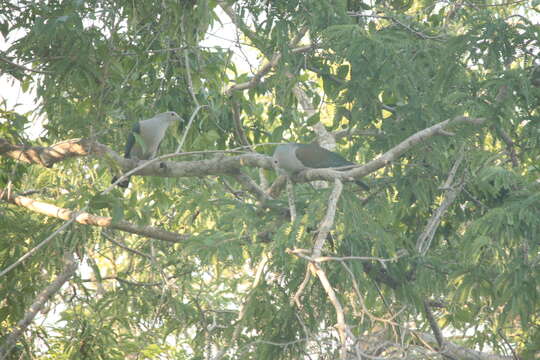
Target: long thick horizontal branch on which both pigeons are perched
[219,165]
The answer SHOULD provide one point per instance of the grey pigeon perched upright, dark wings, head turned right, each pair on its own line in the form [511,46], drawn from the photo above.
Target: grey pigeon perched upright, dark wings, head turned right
[150,132]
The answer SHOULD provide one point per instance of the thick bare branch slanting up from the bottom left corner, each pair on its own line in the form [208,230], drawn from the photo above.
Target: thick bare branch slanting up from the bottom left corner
[39,303]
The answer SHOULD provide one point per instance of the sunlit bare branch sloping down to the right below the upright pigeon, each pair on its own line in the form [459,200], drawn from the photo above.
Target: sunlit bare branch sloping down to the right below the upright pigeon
[89,219]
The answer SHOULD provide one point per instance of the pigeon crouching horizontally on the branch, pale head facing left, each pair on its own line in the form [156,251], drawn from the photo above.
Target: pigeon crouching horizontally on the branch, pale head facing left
[293,157]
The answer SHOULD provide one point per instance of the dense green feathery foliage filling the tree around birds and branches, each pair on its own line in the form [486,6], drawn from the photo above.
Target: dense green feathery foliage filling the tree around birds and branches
[382,71]
